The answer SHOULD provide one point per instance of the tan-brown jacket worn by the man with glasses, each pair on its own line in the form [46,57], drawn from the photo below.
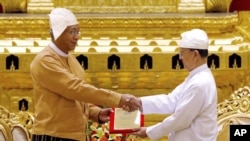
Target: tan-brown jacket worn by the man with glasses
[62,97]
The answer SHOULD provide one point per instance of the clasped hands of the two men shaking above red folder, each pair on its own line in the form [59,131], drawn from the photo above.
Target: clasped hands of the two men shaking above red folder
[130,103]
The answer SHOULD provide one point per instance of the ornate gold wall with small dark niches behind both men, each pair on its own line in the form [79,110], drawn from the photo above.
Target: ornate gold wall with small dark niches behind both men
[130,37]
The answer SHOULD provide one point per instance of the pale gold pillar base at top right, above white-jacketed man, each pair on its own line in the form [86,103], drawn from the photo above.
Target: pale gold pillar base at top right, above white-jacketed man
[191,6]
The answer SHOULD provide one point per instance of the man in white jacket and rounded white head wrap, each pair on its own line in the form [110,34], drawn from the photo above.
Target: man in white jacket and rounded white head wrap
[192,105]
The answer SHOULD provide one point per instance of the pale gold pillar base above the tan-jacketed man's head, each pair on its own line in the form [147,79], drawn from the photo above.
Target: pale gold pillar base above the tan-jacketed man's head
[40,6]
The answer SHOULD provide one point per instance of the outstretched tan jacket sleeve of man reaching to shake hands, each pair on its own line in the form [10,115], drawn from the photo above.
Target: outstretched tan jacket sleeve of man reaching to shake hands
[50,73]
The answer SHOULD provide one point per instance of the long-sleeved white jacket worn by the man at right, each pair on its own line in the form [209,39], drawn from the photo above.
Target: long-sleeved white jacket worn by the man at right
[193,109]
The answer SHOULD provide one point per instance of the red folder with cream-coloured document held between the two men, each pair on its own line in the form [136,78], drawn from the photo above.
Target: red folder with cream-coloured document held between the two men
[123,122]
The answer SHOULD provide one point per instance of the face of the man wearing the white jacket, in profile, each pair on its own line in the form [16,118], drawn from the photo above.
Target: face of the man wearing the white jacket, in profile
[188,58]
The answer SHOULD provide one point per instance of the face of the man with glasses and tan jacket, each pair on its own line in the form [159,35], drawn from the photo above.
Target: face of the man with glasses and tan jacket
[68,39]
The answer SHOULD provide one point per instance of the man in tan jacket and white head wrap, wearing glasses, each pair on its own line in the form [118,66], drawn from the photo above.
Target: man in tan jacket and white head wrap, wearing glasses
[62,97]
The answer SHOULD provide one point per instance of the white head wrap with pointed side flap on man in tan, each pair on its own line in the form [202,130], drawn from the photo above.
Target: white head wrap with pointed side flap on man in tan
[60,18]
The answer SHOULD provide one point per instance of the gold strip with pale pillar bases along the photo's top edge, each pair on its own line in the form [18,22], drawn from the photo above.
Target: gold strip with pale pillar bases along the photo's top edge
[116,6]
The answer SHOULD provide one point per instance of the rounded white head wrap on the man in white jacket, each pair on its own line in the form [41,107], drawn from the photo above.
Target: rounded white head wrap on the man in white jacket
[195,39]
